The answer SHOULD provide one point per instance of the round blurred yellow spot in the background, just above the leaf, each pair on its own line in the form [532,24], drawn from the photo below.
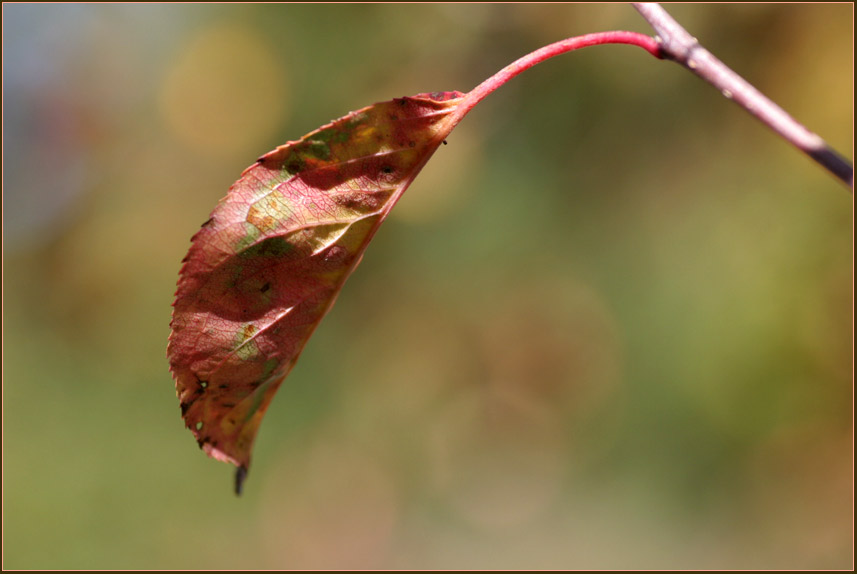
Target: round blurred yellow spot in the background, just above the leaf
[225,92]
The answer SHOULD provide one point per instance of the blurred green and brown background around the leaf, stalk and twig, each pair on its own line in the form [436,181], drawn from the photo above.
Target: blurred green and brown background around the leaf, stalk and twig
[609,326]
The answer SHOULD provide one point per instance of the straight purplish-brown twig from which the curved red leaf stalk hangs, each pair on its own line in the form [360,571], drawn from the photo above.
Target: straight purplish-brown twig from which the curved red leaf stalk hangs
[678,45]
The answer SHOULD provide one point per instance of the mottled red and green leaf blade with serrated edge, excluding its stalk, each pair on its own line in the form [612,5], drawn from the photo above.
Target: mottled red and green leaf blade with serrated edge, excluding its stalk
[268,264]
